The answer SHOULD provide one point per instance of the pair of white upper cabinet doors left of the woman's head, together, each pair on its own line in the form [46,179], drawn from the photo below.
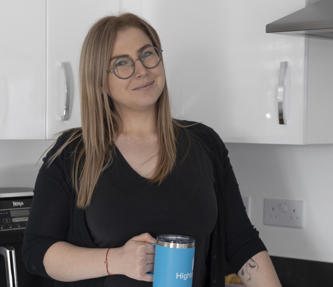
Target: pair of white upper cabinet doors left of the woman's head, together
[40,48]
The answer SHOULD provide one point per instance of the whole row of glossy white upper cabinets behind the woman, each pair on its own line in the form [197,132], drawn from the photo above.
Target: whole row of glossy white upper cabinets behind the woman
[222,68]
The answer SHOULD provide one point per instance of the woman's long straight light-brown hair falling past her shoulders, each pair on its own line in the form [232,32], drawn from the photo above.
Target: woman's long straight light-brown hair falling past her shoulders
[100,120]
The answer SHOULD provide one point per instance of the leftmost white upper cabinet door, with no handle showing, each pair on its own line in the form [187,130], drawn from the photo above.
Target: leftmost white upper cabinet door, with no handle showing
[22,69]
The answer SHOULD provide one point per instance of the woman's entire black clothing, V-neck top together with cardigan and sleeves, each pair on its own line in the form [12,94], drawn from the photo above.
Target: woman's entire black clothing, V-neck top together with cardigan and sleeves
[200,197]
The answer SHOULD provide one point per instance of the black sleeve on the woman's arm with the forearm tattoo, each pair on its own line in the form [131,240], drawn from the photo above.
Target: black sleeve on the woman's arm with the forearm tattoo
[242,240]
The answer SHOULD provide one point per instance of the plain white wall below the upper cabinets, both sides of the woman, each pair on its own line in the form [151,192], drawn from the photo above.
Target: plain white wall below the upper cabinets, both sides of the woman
[272,171]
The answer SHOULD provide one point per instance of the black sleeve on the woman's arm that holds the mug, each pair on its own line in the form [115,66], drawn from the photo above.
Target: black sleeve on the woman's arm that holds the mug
[50,213]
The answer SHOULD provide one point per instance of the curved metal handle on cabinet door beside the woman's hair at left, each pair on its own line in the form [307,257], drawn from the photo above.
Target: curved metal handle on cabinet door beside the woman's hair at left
[69,80]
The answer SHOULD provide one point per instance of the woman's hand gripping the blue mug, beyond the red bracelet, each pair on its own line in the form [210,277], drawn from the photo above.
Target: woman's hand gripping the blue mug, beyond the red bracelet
[136,257]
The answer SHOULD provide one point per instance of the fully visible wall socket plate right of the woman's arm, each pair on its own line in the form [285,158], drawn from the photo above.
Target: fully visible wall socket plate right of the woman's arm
[283,212]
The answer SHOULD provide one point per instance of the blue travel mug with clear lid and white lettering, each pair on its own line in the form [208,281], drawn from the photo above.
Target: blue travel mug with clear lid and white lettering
[174,261]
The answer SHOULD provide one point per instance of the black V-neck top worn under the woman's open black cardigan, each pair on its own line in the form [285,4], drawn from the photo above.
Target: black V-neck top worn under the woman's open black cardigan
[125,204]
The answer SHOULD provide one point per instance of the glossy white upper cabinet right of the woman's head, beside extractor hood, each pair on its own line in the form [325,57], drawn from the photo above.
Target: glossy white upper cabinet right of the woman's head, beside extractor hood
[223,69]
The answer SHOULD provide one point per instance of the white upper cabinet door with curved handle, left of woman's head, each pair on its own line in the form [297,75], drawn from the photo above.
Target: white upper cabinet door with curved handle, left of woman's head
[68,23]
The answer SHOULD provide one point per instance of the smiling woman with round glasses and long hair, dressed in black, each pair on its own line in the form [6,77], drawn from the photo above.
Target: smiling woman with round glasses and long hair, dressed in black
[106,190]
